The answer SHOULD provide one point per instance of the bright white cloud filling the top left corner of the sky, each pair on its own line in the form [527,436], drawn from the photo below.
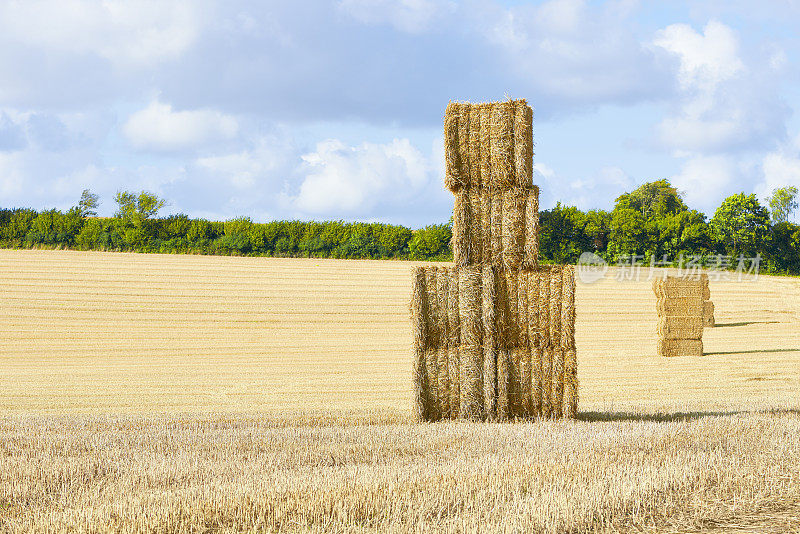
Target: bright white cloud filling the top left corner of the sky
[123,32]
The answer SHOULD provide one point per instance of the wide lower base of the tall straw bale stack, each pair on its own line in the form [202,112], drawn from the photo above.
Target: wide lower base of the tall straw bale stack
[513,361]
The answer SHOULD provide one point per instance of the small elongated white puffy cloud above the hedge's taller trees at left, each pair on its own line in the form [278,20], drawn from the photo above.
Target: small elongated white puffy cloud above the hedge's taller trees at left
[157,127]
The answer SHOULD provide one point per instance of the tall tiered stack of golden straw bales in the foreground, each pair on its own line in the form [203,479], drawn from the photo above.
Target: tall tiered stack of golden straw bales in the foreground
[494,334]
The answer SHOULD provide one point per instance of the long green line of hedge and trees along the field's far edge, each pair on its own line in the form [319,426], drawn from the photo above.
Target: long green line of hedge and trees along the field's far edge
[650,223]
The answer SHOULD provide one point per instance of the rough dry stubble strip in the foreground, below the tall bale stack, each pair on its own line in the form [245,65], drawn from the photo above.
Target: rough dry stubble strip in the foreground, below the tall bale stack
[240,473]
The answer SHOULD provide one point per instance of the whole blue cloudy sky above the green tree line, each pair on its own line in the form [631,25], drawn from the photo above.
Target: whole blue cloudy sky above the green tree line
[333,110]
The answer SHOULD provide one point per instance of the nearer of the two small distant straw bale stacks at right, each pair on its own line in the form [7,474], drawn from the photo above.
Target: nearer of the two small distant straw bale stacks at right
[679,302]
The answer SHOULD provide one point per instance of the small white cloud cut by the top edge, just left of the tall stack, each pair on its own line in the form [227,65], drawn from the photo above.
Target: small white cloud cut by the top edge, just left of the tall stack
[411,16]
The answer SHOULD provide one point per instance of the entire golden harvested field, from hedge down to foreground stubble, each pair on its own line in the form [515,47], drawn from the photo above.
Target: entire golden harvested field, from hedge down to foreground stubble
[194,393]
